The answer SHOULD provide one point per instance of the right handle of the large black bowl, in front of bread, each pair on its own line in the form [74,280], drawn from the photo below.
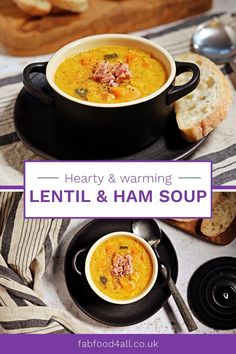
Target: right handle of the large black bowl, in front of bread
[177,92]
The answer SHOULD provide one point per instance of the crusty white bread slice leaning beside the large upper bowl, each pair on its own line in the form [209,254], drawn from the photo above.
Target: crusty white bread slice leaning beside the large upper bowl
[202,110]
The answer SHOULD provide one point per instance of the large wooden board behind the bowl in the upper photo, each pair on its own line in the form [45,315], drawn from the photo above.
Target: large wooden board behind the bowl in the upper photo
[23,35]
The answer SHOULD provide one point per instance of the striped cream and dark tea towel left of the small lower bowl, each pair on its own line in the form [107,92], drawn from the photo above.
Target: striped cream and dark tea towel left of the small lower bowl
[26,247]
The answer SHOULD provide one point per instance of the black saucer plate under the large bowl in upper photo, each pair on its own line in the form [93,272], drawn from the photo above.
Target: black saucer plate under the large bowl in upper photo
[34,124]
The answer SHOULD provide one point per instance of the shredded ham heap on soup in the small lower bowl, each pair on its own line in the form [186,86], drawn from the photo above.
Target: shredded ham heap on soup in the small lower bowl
[122,265]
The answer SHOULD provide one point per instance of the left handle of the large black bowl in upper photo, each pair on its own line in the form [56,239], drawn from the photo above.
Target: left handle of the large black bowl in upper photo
[34,90]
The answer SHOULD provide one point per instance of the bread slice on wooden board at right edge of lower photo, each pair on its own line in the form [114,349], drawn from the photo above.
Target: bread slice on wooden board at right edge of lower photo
[224,213]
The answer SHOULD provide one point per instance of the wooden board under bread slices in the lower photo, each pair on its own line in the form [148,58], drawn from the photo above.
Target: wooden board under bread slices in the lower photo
[193,228]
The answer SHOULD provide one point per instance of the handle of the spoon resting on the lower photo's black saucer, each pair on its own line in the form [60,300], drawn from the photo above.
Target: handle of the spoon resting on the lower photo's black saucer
[187,317]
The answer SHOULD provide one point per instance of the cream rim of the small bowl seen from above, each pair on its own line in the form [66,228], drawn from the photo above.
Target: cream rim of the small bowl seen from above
[99,292]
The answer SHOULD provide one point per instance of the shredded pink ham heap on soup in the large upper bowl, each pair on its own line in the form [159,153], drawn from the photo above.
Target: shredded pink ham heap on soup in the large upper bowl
[111,74]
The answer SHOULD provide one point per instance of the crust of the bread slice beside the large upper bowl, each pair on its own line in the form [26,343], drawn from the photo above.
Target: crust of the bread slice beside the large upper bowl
[203,127]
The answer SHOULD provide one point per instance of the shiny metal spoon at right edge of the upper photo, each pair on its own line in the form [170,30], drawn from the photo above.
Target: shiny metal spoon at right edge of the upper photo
[216,41]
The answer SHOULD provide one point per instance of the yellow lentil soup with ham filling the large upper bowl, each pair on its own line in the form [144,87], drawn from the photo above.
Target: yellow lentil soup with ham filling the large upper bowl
[110,74]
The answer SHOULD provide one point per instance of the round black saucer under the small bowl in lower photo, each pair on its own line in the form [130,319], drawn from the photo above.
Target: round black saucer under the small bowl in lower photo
[94,306]
